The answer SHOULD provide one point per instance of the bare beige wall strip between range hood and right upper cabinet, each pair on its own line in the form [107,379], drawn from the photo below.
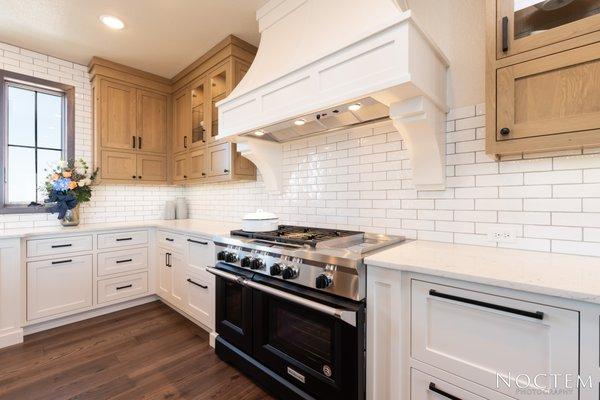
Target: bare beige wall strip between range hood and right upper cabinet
[458,28]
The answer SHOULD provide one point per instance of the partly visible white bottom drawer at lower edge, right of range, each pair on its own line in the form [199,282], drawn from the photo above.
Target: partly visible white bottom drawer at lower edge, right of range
[427,387]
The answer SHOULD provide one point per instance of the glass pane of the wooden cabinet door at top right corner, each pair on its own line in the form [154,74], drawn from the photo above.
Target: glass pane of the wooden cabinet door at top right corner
[536,16]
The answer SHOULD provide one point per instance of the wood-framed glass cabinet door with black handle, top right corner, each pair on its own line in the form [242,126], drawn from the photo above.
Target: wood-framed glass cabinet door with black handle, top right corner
[525,24]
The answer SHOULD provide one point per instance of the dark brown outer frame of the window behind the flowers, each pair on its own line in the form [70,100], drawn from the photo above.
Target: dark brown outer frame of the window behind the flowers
[69,144]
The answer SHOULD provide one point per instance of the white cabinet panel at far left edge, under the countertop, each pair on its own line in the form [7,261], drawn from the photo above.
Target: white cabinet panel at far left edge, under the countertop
[10,293]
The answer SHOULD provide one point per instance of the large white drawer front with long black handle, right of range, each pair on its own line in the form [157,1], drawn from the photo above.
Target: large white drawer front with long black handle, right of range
[483,337]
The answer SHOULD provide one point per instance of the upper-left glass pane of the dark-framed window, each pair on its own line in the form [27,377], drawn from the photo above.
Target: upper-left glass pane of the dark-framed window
[21,116]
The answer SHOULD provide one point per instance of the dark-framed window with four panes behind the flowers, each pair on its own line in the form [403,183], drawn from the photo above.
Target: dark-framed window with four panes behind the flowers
[37,130]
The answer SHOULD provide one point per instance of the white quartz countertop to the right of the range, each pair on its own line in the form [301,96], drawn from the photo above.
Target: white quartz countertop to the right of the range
[560,275]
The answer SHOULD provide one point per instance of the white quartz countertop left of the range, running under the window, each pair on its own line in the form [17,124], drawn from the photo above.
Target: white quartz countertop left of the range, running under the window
[190,226]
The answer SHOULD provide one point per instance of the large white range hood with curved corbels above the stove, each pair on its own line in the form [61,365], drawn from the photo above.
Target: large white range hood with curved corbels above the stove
[315,58]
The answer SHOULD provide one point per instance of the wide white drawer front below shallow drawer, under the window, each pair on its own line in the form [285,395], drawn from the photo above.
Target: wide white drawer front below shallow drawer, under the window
[59,286]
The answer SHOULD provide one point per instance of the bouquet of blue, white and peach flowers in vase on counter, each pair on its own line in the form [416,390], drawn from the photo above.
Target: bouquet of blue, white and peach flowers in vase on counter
[67,185]
